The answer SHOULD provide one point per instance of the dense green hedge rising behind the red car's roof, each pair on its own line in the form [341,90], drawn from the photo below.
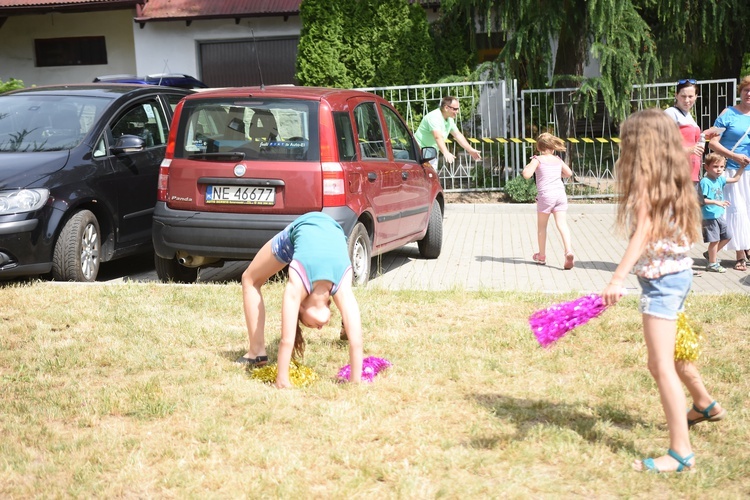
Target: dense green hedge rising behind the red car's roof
[376,43]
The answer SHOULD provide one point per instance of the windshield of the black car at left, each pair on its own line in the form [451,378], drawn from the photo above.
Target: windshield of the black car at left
[46,123]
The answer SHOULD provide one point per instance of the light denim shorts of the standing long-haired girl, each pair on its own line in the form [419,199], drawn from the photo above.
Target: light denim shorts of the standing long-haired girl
[664,297]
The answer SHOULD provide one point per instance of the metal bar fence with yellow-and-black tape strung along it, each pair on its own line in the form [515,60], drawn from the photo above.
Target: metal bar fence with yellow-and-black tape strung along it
[502,124]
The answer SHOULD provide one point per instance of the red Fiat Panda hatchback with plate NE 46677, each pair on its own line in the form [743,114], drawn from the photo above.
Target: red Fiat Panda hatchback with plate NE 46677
[242,163]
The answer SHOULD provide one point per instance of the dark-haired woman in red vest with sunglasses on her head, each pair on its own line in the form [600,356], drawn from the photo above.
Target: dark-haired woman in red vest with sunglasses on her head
[685,96]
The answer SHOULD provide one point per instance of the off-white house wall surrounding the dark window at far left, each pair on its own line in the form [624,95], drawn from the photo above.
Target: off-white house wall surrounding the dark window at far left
[18,33]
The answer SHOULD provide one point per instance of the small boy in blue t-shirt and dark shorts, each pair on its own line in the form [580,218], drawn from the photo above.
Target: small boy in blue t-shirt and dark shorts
[715,231]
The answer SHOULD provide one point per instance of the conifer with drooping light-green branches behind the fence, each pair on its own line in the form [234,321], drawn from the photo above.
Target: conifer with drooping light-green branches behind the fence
[611,30]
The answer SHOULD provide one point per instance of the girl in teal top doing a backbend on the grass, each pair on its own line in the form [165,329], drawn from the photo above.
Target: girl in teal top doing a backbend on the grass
[315,248]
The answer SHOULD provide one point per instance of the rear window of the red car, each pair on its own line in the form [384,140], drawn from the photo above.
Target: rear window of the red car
[268,130]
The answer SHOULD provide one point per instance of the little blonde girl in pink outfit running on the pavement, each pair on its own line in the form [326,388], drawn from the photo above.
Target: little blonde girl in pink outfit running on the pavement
[551,198]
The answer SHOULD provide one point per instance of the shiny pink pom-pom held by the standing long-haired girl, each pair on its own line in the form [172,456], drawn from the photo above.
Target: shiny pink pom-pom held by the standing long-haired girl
[554,322]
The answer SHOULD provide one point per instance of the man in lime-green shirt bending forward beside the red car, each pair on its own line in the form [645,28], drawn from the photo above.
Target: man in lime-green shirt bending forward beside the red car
[437,125]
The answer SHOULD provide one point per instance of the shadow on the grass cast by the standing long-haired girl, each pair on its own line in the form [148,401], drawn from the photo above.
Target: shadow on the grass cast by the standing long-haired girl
[526,414]
